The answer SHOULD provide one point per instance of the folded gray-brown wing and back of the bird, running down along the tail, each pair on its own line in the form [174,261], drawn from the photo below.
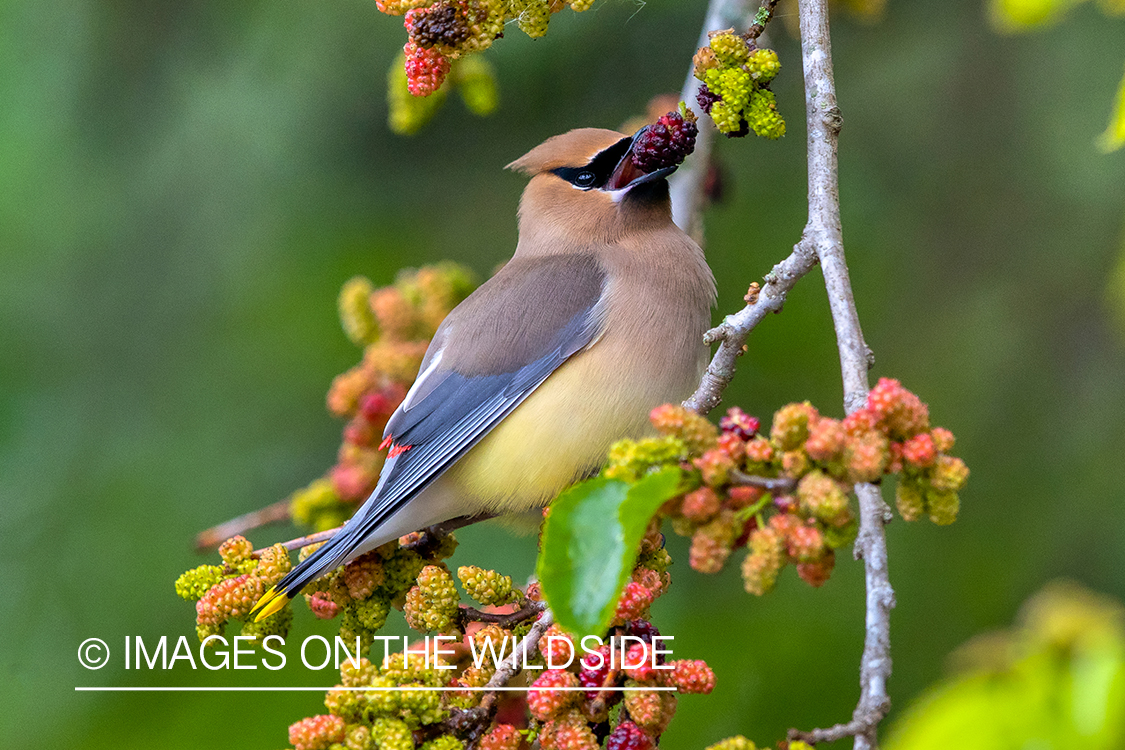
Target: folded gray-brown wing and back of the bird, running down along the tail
[490,355]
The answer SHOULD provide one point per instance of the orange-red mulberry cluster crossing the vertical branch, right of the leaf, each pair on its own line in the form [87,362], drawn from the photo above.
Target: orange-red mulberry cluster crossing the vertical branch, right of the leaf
[786,496]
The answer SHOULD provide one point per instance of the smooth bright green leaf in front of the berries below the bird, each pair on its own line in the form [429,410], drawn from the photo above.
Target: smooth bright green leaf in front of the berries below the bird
[590,546]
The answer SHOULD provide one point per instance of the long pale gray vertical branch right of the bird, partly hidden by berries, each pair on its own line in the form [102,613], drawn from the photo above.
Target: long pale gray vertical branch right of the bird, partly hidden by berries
[824,233]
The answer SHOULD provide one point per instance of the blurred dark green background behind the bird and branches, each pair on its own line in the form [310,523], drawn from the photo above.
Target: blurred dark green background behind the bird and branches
[185,186]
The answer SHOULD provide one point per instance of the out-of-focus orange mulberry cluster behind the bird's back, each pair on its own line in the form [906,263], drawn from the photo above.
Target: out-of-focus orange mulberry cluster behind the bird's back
[394,327]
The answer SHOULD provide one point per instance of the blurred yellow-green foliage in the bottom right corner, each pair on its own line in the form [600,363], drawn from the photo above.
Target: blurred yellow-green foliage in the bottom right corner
[1056,681]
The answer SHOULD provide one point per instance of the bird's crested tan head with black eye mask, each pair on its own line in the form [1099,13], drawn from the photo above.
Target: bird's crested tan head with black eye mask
[584,191]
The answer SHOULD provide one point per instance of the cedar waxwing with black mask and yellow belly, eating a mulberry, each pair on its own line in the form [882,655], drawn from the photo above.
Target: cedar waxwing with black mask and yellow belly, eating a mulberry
[597,320]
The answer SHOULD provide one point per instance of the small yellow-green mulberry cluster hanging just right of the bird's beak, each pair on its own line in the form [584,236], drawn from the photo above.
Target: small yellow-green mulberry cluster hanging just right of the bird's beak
[735,91]
